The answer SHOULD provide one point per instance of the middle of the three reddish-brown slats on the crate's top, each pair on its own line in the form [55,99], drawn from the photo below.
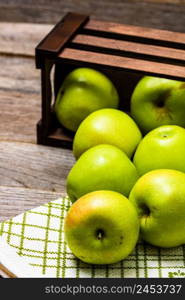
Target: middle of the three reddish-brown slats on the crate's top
[130,47]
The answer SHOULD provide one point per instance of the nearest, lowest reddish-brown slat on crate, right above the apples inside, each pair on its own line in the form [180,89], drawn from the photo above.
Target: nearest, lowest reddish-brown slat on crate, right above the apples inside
[123,63]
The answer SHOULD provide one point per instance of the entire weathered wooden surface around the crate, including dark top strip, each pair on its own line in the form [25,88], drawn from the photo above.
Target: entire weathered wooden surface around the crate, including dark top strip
[31,174]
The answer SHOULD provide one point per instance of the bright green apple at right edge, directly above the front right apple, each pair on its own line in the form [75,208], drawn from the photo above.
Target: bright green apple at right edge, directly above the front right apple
[161,148]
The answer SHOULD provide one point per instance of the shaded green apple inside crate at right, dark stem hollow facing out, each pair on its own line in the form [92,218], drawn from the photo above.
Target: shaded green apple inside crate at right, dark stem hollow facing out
[158,101]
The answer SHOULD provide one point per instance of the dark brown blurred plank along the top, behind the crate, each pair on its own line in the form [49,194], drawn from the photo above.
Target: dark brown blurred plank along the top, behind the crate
[162,14]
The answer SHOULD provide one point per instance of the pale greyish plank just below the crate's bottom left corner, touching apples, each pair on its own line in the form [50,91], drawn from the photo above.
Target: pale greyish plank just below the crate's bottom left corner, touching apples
[34,166]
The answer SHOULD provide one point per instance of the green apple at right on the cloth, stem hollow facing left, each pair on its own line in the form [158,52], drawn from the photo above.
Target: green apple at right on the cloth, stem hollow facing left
[159,197]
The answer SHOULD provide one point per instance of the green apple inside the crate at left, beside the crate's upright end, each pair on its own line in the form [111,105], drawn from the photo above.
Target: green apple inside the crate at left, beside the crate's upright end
[83,91]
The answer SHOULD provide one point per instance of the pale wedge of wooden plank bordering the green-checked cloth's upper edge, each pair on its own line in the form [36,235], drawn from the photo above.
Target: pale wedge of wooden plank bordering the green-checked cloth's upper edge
[15,200]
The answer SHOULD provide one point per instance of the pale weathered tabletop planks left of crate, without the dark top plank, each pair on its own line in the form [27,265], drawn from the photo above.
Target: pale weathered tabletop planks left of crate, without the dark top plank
[30,174]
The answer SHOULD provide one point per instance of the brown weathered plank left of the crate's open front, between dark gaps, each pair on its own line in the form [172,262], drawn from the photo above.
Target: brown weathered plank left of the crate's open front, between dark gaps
[19,99]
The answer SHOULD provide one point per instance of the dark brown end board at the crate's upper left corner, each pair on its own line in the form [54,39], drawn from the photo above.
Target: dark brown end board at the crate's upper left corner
[53,43]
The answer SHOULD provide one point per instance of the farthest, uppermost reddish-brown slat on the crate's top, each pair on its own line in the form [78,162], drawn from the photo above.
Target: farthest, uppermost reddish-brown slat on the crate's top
[136,31]
